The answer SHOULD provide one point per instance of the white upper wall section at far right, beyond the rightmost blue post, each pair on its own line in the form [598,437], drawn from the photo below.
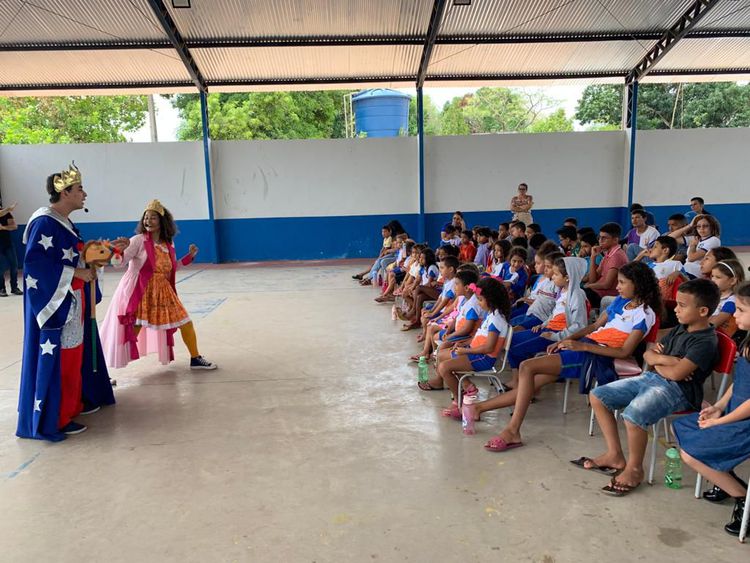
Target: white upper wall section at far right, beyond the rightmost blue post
[673,166]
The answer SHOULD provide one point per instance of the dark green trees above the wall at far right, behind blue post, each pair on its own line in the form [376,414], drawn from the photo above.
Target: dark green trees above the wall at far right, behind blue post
[669,106]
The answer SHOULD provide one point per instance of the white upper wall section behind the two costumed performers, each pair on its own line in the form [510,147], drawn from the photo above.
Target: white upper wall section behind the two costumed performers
[120,179]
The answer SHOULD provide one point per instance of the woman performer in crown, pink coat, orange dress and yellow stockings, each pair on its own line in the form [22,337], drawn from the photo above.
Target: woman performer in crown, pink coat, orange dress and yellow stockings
[145,311]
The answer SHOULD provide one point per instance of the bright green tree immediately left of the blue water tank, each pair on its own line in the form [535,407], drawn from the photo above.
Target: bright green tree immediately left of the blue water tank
[264,115]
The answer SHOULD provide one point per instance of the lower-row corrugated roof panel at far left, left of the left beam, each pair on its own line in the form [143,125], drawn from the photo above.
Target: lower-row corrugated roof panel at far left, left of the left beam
[90,67]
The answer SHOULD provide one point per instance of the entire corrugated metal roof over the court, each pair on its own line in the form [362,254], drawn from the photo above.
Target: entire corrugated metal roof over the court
[56,46]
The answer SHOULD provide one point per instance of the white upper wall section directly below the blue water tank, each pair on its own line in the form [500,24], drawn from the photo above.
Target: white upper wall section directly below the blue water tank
[315,178]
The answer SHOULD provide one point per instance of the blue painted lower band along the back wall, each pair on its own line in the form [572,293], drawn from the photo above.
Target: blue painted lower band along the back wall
[313,238]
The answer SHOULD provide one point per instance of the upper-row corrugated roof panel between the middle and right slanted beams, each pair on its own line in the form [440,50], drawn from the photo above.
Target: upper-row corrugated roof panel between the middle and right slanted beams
[497,17]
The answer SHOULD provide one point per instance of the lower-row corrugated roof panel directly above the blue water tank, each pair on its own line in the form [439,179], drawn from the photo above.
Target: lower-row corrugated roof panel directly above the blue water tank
[279,63]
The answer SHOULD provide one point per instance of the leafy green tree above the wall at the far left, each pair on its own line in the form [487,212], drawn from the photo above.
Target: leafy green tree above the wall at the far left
[69,119]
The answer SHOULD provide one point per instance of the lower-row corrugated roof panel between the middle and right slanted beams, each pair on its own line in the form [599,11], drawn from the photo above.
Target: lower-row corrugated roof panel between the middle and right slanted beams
[531,58]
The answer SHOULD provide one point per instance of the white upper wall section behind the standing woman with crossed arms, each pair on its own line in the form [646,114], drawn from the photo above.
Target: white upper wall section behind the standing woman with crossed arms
[563,170]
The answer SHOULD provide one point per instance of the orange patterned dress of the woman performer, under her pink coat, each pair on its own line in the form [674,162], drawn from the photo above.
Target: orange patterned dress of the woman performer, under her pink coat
[160,308]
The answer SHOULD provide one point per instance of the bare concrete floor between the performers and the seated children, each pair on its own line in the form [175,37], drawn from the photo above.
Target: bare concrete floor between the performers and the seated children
[311,443]
